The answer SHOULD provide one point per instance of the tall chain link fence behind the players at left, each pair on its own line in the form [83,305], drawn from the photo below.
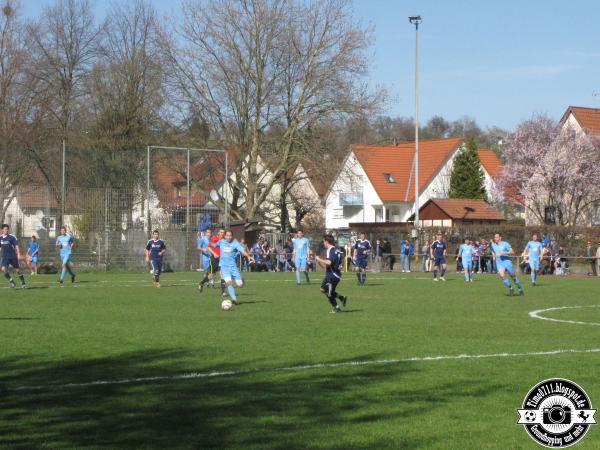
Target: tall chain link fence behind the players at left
[176,191]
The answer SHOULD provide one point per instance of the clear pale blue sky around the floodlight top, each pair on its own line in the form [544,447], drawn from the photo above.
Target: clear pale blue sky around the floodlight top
[496,61]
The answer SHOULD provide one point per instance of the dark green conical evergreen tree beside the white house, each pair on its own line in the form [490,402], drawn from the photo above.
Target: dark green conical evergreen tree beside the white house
[467,179]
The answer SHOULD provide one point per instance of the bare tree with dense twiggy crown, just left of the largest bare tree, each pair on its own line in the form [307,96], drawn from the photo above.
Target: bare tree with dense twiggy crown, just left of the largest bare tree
[125,89]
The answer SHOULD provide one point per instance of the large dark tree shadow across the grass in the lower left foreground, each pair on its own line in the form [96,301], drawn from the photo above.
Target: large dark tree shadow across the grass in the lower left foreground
[322,407]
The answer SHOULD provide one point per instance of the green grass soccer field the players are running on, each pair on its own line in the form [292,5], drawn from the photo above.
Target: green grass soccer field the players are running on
[112,362]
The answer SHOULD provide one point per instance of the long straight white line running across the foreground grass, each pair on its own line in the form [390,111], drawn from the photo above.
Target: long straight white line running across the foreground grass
[199,375]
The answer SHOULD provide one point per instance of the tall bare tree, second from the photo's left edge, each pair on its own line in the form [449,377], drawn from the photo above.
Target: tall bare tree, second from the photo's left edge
[64,48]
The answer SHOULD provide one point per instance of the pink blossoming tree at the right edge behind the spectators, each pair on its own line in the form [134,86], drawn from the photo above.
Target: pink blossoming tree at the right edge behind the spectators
[553,171]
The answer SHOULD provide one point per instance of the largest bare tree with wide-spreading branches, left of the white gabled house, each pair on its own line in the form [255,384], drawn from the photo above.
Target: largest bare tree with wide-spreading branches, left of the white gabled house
[250,65]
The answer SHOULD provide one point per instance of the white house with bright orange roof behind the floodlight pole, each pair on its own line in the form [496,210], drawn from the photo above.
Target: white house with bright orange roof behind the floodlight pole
[376,182]
